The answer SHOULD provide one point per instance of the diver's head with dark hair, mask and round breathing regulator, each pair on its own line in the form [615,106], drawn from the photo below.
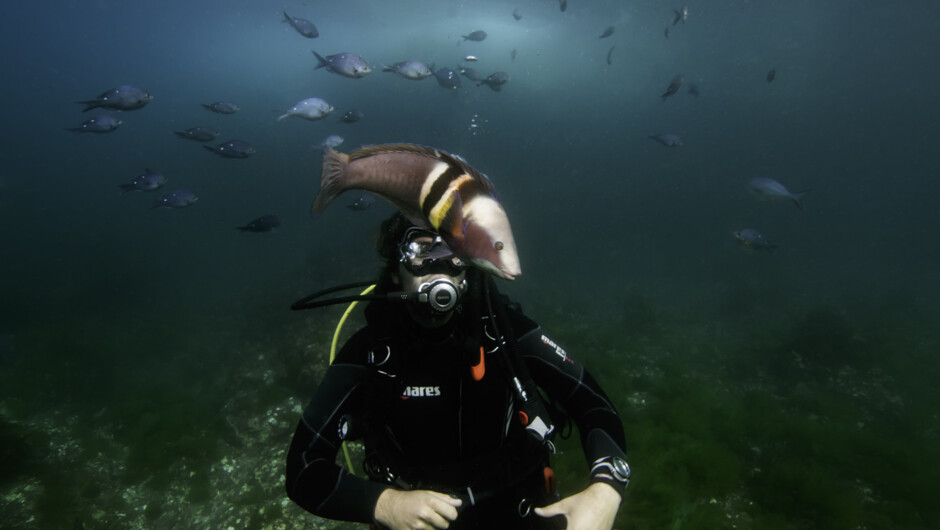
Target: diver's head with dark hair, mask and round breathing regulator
[420,263]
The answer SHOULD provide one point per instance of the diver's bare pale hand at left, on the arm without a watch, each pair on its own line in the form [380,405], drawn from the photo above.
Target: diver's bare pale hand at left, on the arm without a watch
[417,509]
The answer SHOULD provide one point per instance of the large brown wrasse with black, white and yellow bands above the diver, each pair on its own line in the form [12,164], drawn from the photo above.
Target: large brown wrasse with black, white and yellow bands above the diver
[434,190]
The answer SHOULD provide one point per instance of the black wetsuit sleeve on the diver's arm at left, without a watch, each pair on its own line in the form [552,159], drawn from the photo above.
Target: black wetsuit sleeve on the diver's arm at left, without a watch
[313,479]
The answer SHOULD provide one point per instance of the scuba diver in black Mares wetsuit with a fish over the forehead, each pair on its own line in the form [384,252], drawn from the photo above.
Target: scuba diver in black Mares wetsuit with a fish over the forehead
[456,396]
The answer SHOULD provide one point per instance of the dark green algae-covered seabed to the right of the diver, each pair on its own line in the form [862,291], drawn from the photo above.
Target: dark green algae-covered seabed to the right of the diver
[744,422]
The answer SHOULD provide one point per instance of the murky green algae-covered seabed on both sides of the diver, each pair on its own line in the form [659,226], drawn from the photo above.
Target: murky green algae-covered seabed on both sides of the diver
[740,411]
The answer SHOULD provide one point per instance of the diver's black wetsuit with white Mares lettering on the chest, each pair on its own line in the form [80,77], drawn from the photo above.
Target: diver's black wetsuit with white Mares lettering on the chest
[427,423]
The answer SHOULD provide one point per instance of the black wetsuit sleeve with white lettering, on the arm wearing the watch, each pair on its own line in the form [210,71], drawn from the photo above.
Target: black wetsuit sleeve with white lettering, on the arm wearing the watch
[567,383]
